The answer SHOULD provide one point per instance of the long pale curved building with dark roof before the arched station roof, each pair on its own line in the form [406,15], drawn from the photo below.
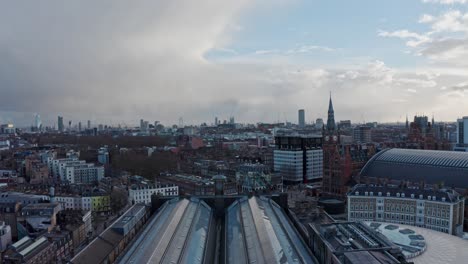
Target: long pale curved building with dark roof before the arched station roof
[441,210]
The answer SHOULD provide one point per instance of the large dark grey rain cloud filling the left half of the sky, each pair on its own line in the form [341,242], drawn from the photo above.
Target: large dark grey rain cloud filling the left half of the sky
[113,58]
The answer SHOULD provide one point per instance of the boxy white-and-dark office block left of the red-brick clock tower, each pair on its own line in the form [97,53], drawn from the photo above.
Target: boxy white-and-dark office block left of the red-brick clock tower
[298,158]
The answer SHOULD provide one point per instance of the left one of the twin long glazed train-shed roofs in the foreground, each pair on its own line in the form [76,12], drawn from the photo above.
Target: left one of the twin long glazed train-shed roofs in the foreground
[180,232]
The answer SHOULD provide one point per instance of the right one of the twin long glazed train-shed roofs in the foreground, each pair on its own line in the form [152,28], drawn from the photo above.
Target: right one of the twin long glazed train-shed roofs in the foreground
[258,231]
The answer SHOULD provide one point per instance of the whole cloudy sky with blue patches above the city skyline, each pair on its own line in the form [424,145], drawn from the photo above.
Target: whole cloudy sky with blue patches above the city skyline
[117,61]
